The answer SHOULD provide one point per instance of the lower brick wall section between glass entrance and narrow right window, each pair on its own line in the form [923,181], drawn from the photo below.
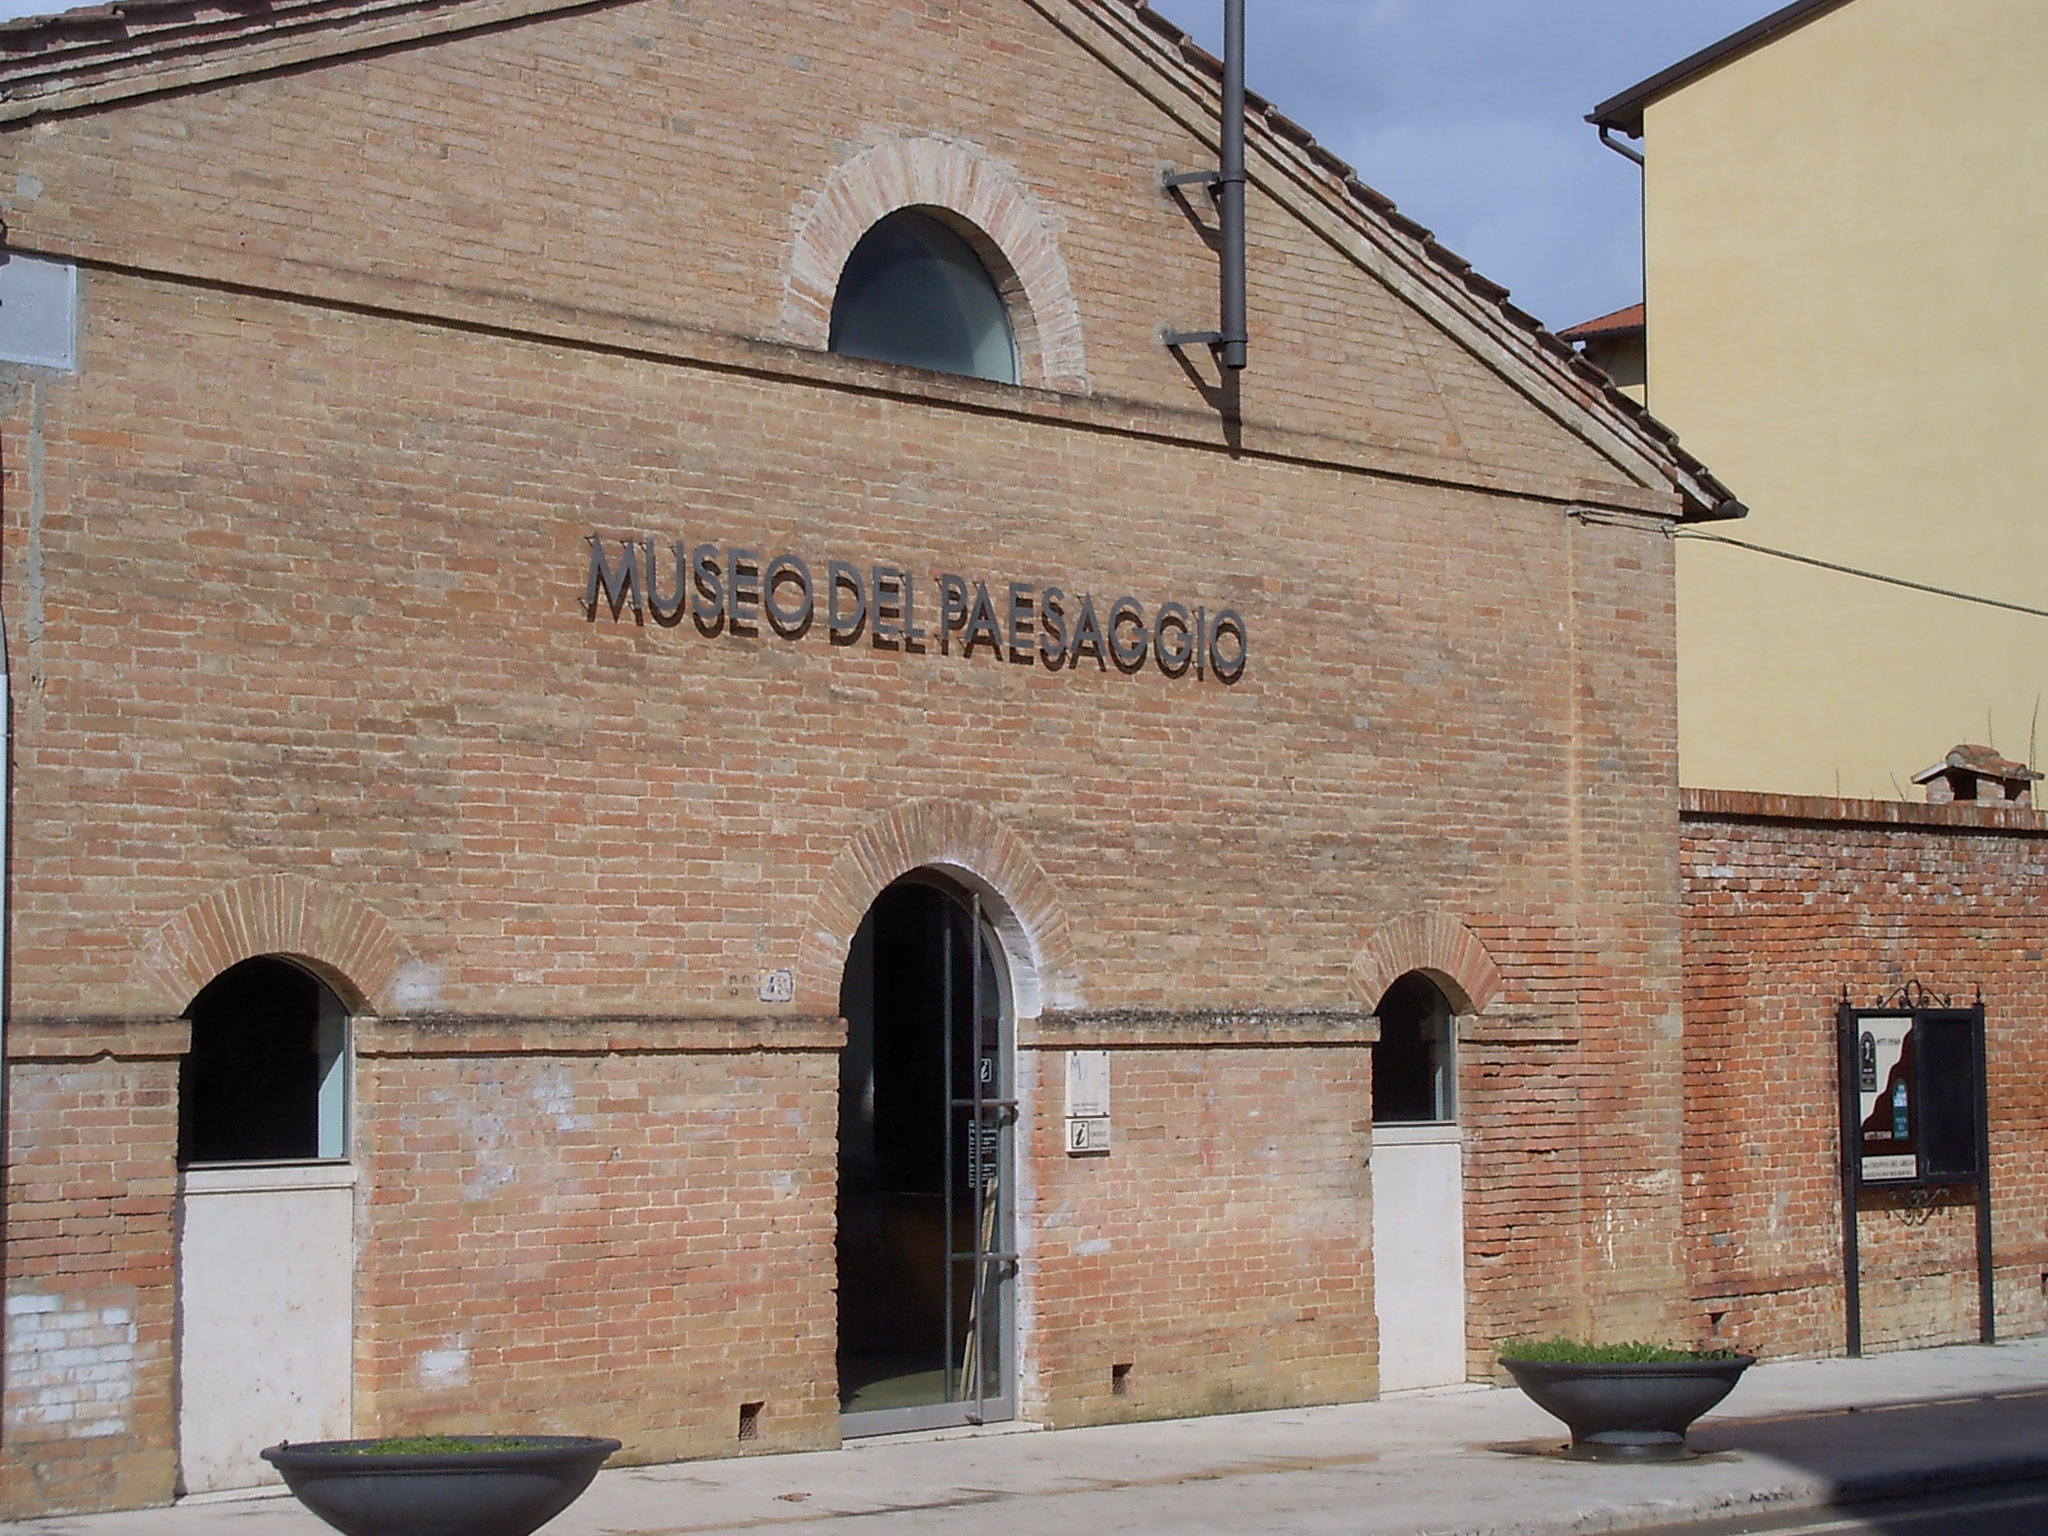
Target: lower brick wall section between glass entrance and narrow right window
[1222,1250]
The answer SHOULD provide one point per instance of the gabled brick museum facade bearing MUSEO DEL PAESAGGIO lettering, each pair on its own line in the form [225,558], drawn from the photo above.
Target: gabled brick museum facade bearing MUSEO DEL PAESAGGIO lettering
[458,574]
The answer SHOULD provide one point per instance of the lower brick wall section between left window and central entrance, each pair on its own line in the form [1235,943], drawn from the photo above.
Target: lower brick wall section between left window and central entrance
[632,1242]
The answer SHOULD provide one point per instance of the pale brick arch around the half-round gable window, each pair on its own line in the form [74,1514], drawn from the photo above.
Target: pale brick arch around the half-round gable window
[980,198]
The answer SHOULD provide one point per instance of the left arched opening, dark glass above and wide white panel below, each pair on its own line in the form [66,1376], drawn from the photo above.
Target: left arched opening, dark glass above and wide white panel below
[265,1224]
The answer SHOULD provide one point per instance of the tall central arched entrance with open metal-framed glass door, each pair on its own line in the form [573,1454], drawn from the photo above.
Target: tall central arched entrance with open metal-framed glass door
[927,1166]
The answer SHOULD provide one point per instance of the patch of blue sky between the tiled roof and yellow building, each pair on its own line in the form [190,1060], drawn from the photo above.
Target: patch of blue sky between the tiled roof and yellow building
[1469,114]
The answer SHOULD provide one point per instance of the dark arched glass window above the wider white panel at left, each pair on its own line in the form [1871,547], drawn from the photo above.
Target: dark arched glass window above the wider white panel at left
[267,1076]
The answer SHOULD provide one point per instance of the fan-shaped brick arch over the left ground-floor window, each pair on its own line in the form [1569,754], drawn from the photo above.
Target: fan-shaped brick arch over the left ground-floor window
[331,933]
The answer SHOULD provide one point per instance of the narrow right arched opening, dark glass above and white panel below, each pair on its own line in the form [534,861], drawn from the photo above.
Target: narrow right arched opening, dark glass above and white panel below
[1418,1189]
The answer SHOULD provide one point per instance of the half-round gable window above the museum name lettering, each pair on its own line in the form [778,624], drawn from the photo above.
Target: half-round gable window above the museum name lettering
[914,292]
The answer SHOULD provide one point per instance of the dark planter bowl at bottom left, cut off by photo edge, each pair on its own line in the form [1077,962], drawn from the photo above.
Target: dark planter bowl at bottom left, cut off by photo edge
[486,1492]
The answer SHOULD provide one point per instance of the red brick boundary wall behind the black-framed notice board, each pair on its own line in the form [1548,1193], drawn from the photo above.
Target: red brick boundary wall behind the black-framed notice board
[1789,902]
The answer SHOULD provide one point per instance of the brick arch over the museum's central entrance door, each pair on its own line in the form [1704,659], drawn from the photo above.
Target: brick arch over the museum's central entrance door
[978,851]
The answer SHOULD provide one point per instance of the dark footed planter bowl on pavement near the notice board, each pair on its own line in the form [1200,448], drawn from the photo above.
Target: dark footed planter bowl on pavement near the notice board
[1627,1412]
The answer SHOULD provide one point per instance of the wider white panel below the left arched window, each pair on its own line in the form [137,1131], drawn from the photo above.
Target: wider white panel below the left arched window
[265,1316]
